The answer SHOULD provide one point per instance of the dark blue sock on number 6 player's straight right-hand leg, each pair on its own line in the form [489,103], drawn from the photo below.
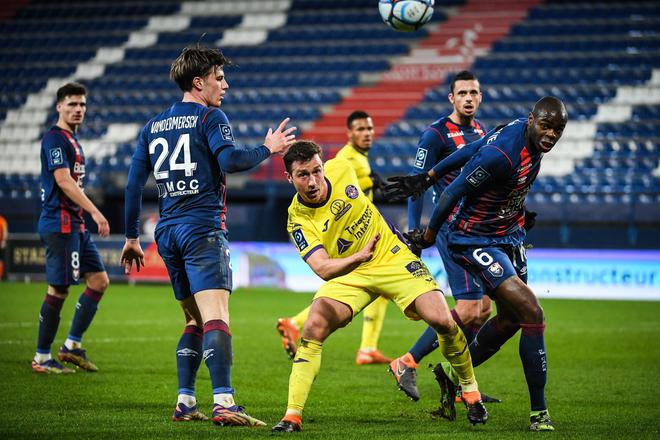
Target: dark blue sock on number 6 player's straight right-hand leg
[533,357]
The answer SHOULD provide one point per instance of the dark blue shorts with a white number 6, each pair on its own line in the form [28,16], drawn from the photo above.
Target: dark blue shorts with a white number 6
[492,264]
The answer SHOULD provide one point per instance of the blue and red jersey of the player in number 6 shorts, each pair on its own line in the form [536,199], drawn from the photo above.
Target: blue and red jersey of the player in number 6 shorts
[494,184]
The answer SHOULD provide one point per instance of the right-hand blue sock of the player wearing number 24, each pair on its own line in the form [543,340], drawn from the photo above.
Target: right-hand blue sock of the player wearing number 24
[218,355]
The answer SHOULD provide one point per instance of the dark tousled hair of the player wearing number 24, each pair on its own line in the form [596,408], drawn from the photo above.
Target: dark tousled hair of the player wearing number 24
[196,60]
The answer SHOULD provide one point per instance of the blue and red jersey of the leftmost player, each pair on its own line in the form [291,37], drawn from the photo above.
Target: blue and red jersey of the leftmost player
[60,149]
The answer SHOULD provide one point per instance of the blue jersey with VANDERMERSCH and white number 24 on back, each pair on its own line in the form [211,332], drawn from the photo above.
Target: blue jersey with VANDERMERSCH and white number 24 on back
[180,147]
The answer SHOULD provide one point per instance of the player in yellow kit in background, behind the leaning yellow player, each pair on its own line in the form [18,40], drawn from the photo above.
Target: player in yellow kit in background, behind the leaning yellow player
[360,138]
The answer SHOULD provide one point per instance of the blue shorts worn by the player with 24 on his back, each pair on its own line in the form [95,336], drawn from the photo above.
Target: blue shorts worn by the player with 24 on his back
[196,257]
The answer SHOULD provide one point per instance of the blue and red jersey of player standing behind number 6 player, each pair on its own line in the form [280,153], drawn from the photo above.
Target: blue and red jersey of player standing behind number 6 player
[438,141]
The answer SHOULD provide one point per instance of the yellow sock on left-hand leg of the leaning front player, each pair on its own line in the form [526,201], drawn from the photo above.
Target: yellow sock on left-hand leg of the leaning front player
[306,366]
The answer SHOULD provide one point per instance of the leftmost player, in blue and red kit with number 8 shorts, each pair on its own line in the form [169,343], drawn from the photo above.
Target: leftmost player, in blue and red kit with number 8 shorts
[70,250]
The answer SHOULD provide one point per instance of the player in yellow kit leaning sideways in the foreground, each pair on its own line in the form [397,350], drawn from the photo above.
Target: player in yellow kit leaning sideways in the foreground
[345,240]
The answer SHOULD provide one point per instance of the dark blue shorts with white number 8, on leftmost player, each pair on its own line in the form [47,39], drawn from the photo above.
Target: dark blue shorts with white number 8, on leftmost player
[70,256]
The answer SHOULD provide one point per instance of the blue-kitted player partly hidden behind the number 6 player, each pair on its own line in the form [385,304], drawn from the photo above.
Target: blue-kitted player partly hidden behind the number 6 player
[439,140]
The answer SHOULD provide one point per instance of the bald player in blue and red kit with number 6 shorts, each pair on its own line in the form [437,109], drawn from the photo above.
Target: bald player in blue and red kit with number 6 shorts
[487,232]
